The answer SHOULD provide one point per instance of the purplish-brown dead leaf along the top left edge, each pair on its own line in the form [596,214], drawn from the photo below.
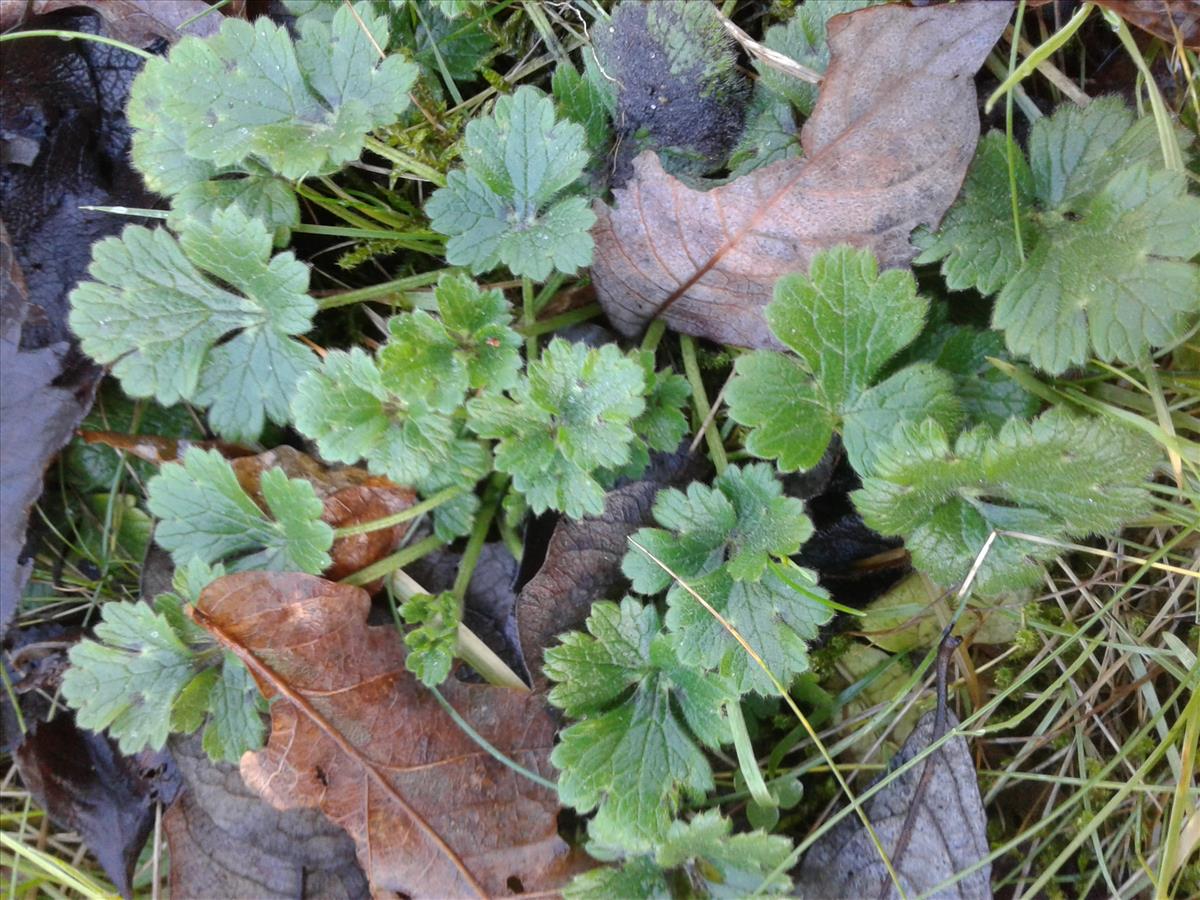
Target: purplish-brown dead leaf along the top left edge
[135,22]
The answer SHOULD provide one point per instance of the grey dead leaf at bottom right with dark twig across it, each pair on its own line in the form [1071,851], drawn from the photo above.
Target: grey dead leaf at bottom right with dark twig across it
[947,832]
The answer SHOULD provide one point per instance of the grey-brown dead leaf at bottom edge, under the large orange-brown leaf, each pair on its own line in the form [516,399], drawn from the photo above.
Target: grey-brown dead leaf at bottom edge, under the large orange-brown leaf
[226,842]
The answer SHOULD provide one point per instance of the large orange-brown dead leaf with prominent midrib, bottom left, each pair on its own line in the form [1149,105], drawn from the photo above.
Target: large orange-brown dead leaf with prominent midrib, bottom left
[355,735]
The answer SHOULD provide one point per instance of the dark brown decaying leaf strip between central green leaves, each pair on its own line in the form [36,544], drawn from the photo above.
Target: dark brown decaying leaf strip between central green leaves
[583,563]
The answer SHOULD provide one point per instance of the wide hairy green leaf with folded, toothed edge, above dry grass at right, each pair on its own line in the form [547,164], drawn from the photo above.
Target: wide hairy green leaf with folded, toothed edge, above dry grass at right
[1059,478]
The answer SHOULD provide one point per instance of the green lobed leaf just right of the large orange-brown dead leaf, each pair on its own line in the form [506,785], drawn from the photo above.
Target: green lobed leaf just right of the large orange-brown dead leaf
[635,757]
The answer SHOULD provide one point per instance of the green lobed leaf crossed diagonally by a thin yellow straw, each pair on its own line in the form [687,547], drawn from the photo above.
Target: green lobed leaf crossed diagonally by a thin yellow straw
[719,541]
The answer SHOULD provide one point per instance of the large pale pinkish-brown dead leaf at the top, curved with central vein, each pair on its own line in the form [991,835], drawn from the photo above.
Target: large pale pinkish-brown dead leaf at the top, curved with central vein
[886,151]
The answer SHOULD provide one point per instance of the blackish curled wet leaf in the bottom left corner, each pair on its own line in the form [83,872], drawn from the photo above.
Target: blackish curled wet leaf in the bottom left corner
[88,787]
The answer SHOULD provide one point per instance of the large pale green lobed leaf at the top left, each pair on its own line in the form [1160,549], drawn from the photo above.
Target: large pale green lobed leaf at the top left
[249,94]
